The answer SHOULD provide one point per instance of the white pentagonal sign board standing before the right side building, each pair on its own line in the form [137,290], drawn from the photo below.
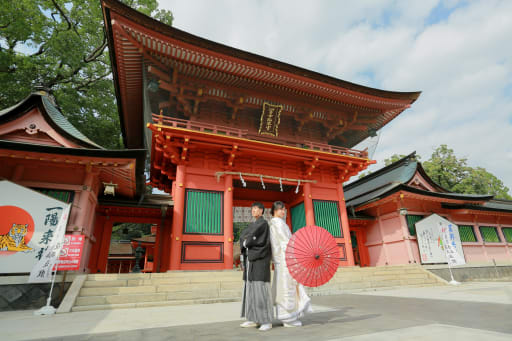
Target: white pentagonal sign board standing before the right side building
[437,238]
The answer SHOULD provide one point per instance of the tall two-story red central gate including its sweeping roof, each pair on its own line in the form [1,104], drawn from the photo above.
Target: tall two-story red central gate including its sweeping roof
[226,127]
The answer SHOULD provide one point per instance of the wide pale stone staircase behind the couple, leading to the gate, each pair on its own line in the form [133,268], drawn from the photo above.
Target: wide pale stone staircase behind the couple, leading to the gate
[114,291]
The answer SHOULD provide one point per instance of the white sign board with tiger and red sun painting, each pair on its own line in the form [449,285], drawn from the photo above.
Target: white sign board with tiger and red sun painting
[28,225]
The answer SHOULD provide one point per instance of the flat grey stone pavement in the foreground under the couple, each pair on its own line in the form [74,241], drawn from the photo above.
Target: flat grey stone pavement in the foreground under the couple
[471,311]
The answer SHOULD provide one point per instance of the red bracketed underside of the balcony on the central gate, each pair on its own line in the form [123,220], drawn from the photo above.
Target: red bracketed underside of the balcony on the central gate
[173,146]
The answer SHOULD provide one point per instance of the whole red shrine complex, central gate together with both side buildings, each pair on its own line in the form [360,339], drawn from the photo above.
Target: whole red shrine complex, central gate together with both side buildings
[216,129]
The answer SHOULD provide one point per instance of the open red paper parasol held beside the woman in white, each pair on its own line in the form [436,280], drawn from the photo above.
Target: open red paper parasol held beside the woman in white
[312,256]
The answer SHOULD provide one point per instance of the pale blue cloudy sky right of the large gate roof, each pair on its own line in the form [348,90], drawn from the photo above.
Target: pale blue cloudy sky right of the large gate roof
[458,53]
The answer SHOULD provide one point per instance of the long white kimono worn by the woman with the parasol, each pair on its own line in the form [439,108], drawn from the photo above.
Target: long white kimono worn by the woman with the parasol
[290,298]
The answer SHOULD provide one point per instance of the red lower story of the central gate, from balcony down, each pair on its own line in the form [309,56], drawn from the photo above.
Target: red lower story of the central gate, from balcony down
[204,172]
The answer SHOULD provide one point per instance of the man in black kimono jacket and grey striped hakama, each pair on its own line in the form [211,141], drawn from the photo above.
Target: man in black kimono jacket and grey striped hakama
[256,251]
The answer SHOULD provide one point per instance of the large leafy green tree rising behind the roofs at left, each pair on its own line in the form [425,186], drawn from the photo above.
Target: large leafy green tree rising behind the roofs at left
[61,45]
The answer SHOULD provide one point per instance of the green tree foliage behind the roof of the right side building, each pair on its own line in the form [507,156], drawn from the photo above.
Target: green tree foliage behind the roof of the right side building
[454,174]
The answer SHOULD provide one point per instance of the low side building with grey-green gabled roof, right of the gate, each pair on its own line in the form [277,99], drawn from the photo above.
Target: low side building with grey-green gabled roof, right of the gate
[396,197]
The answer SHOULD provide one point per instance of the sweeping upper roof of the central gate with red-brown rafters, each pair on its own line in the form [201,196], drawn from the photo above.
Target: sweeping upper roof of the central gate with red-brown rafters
[135,39]
